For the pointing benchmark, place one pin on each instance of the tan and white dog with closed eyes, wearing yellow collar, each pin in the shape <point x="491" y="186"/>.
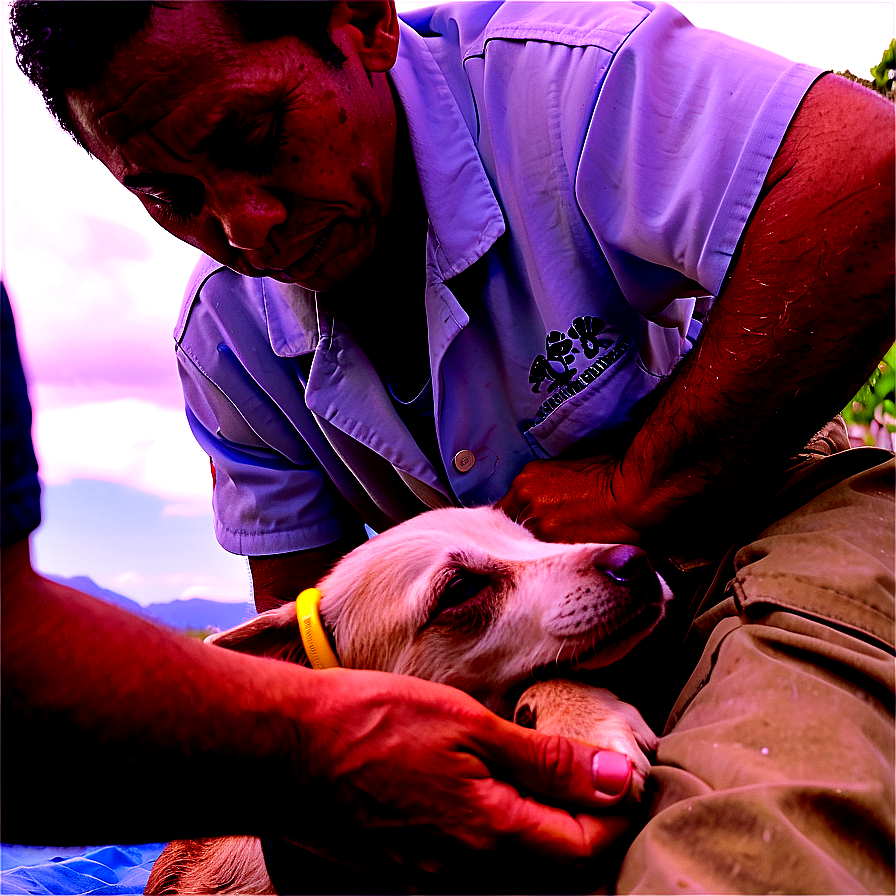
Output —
<point x="468" y="598"/>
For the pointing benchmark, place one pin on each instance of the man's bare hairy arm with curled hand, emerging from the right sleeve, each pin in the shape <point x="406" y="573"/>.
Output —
<point x="805" y="316"/>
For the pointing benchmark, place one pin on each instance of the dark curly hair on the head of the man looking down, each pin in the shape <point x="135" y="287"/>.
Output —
<point x="64" y="45"/>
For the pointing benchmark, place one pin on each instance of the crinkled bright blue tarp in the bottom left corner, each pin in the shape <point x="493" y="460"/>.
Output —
<point x="120" y="870"/>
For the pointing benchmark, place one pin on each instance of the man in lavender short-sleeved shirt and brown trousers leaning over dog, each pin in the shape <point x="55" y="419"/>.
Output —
<point x="579" y="180"/>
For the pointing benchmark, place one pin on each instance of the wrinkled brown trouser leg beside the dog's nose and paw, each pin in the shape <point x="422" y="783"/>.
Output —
<point x="776" y="770"/>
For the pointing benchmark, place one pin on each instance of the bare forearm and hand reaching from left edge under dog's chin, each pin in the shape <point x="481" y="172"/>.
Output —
<point x="118" y="730"/>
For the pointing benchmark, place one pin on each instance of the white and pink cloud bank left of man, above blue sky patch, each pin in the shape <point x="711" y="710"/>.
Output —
<point x="96" y="287"/>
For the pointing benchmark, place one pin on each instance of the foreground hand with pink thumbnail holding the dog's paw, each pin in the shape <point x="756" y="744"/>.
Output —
<point x="405" y="759"/>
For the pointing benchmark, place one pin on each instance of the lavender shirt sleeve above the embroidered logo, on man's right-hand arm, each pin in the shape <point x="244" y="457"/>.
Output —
<point x="685" y="128"/>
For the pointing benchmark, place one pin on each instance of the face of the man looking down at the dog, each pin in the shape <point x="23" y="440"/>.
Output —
<point x="264" y="156"/>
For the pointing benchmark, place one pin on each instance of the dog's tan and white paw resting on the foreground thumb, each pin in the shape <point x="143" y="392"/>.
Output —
<point x="592" y="715"/>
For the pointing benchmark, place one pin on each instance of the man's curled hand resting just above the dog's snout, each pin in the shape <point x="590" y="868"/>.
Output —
<point x="570" y="501"/>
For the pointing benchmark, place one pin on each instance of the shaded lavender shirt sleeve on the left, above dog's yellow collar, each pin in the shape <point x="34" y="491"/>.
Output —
<point x="271" y="494"/>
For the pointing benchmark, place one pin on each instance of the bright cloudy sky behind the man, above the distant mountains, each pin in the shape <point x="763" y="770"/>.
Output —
<point x="96" y="288"/>
